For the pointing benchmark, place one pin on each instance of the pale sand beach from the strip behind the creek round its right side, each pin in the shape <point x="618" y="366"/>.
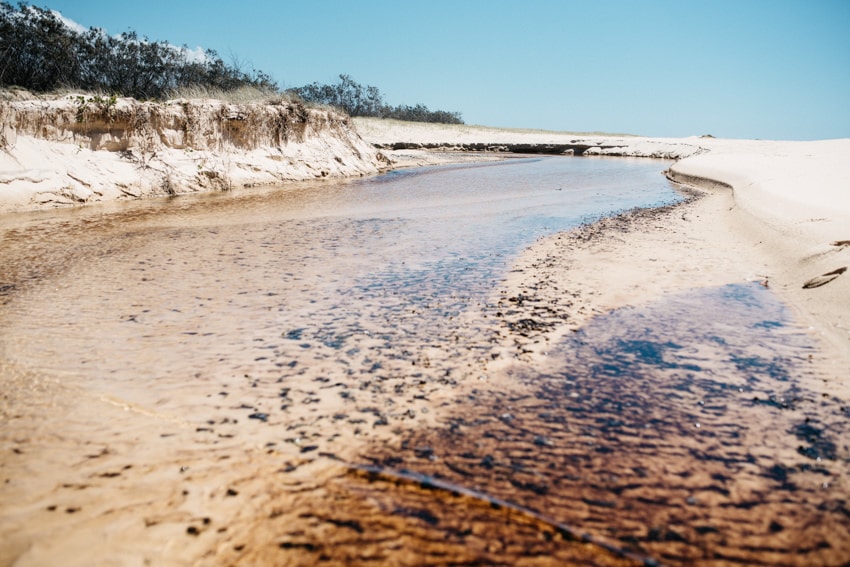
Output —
<point x="770" y="211"/>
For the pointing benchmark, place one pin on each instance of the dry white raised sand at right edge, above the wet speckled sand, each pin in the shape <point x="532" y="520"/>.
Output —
<point x="791" y="206"/>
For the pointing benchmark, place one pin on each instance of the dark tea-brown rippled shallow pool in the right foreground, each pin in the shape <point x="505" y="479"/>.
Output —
<point x="681" y="431"/>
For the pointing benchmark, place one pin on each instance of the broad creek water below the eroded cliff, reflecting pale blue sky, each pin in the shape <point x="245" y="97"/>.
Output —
<point x="216" y="279"/>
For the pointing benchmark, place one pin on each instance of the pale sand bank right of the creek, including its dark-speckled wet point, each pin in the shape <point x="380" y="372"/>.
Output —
<point x="771" y="212"/>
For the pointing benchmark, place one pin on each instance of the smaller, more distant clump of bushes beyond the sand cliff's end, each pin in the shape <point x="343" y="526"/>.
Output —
<point x="359" y="100"/>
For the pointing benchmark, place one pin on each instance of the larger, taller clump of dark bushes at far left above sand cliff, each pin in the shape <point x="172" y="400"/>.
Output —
<point x="39" y="52"/>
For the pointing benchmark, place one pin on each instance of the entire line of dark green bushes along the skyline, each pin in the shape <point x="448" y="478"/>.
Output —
<point x="41" y="53"/>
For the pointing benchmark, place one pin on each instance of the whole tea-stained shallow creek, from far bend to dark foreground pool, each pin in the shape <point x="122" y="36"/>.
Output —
<point x="351" y="321"/>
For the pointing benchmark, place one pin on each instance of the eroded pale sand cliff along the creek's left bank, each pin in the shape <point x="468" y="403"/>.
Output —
<point x="81" y="148"/>
